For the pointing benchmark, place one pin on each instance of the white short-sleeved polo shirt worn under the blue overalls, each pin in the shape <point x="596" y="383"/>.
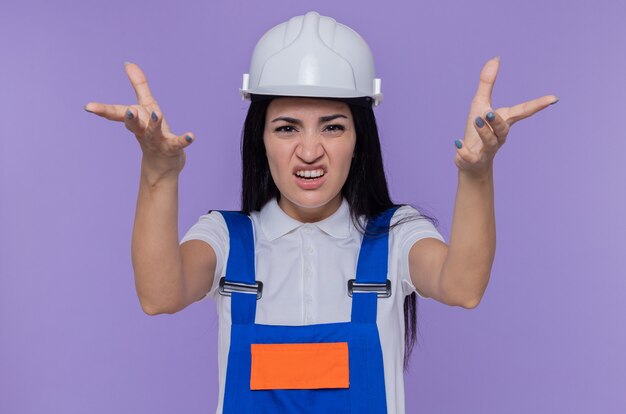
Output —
<point x="305" y="268"/>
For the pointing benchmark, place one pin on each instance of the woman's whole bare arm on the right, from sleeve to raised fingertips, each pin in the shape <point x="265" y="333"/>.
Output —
<point x="459" y="274"/>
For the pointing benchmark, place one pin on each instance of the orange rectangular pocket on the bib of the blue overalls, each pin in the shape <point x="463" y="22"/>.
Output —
<point x="299" y="366"/>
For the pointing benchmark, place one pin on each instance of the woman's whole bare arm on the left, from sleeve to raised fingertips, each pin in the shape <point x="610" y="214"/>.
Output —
<point x="168" y="277"/>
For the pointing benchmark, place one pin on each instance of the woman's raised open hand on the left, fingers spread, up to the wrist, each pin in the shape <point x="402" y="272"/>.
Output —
<point x="162" y="150"/>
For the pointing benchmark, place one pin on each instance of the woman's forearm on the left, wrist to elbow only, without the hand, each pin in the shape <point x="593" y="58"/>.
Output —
<point x="155" y="249"/>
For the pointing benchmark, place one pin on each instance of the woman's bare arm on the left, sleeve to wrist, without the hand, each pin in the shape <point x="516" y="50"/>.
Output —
<point x="168" y="278"/>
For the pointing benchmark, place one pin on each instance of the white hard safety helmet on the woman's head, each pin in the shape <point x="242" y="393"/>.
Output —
<point x="312" y="56"/>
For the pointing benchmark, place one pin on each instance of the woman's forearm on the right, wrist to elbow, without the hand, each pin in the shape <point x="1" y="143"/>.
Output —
<point x="467" y="267"/>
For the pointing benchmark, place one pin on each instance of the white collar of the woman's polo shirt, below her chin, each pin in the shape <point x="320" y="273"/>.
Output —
<point x="276" y="223"/>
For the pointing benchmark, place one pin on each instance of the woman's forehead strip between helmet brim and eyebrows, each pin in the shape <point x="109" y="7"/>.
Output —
<point x="306" y="106"/>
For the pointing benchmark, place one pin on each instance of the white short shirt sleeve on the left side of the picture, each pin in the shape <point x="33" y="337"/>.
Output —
<point x="212" y="229"/>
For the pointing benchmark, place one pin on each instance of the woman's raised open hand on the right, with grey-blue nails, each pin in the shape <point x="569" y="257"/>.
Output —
<point x="486" y="129"/>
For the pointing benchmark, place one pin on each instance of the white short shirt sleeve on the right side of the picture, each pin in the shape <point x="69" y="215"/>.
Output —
<point x="413" y="227"/>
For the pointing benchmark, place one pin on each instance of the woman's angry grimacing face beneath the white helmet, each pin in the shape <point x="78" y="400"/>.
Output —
<point x="309" y="144"/>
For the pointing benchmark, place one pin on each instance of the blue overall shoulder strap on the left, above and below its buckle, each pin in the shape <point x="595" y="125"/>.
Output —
<point x="240" y="266"/>
